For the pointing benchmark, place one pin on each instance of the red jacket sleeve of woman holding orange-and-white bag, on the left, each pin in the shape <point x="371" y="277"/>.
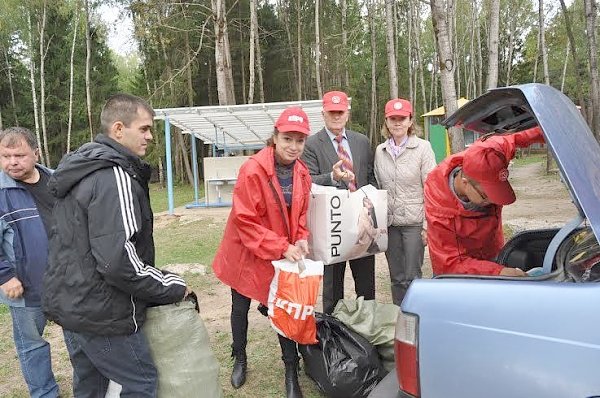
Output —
<point x="260" y="240"/>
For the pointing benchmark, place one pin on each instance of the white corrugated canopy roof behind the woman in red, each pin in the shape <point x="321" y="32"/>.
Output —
<point x="237" y="126"/>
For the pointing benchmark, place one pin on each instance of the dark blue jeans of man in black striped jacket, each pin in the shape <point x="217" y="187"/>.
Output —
<point x="98" y="359"/>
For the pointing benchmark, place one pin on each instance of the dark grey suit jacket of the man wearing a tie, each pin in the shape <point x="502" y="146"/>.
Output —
<point x="320" y="156"/>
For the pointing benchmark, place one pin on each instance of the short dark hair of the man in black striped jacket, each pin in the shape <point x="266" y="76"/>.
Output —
<point x="122" y="108"/>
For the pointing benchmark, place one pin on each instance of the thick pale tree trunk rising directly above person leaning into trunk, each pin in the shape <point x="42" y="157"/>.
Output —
<point x="440" y="28"/>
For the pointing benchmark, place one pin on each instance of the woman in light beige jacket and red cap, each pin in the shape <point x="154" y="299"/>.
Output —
<point x="402" y="163"/>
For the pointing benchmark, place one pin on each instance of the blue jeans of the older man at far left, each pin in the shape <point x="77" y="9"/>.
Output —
<point x="33" y="351"/>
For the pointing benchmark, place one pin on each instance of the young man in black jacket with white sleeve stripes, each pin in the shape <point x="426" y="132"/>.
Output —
<point x="101" y="273"/>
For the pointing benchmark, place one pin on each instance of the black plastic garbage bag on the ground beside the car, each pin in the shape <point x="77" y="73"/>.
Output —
<point x="343" y="364"/>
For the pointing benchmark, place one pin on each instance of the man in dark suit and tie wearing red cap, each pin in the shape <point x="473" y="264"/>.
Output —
<point x="344" y="159"/>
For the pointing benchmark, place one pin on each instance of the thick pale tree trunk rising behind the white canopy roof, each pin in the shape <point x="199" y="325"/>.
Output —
<point x="225" y="85"/>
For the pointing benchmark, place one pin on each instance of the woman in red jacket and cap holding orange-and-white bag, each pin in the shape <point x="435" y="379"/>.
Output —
<point x="267" y="222"/>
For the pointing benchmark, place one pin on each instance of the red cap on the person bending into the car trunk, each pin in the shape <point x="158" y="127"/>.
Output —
<point x="489" y="167"/>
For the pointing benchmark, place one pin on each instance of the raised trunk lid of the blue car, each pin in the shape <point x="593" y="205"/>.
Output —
<point x="511" y="109"/>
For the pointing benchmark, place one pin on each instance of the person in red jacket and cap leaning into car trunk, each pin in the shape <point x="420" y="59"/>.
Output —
<point x="464" y="196"/>
